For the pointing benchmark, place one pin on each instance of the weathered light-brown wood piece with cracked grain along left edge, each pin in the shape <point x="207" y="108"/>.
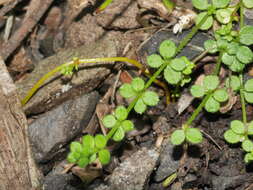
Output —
<point x="17" y="168"/>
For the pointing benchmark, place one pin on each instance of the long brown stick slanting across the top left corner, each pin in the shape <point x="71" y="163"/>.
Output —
<point x="35" y="11"/>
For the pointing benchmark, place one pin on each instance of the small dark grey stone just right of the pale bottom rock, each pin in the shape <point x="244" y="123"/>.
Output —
<point x="168" y="164"/>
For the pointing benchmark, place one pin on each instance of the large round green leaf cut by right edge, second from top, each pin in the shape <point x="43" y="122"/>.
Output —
<point x="246" y="35"/>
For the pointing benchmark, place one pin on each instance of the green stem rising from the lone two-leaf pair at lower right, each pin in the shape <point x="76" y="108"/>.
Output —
<point x="203" y="102"/>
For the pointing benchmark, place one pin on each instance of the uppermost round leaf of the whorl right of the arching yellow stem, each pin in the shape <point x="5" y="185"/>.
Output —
<point x="167" y="49"/>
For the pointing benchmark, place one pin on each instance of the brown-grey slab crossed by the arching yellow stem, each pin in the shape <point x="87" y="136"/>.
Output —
<point x="86" y="79"/>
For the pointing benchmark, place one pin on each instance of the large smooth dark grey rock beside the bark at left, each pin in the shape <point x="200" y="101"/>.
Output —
<point x="54" y="129"/>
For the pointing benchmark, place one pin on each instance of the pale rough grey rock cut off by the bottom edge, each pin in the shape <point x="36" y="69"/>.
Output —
<point x="134" y="172"/>
